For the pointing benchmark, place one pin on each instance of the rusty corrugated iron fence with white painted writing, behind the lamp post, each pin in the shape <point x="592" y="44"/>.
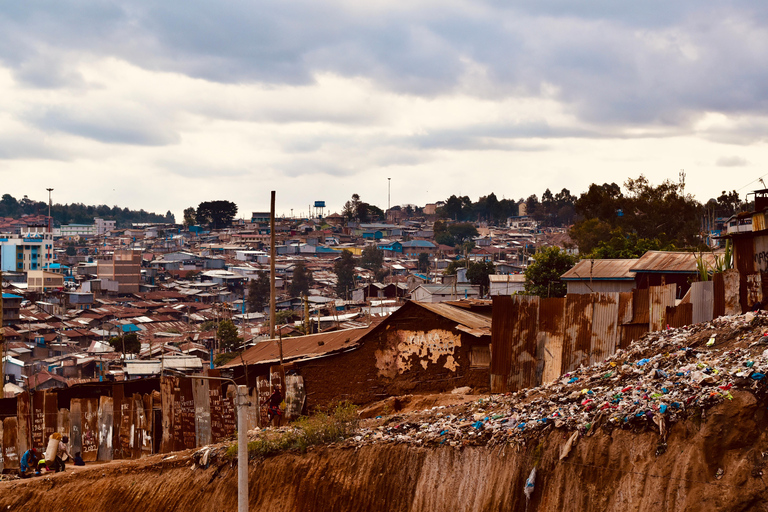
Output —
<point x="183" y="413"/>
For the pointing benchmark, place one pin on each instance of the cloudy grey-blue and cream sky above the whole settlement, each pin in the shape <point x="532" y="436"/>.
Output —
<point x="163" y="104"/>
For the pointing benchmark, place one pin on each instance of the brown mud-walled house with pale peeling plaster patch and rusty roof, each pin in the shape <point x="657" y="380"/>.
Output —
<point x="420" y="348"/>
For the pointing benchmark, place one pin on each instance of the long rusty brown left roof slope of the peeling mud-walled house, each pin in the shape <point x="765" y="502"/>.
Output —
<point x="301" y="347"/>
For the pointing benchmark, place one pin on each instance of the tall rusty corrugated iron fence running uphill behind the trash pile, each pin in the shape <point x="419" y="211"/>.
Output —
<point x="537" y="340"/>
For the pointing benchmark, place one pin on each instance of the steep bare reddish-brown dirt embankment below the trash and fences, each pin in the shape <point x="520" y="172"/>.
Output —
<point x="715" y="463"/>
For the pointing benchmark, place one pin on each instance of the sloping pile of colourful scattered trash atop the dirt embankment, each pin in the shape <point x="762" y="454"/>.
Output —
<point x="659" y="380"/>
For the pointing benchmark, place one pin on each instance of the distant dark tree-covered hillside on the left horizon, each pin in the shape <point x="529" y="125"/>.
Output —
<point x="78" y="213"/>
